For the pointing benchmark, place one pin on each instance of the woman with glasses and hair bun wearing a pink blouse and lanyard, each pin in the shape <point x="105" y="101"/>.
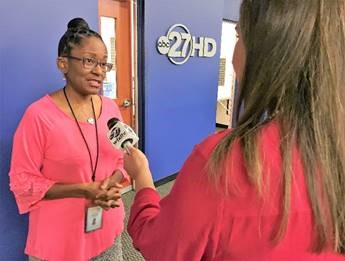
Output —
<point x="64" y="171"/>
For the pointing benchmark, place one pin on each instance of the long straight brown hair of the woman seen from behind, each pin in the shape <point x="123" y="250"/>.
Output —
<point x="295" y="69"/>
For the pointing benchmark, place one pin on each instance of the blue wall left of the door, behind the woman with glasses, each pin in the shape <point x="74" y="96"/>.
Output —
<point x="30" y="31"/>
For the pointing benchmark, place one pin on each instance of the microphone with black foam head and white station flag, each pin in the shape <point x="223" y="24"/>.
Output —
<point x="121" y="135"/>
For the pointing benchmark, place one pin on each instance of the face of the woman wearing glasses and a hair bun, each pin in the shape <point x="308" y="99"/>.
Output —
<point x="86" y="81"/>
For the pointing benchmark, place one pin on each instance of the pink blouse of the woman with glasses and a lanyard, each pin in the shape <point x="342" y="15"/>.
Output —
<point x="49" y="148"/>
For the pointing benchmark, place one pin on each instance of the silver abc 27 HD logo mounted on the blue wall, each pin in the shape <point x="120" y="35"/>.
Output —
<point x="179" y="45"/>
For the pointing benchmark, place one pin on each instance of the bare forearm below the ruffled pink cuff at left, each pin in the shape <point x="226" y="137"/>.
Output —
<point x="58" y="191"/>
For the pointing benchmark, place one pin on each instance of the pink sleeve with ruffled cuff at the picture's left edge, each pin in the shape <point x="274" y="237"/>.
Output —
<point x="26" y="180"/>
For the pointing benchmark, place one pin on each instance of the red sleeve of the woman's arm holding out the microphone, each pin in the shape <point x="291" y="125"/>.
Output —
<point x="182" y="226"/>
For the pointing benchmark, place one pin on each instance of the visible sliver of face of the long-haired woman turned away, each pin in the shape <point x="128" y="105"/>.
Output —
<point x="239" y="56"/>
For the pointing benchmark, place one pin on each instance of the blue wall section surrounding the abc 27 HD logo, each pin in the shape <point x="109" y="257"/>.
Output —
<point x="180" y="101"/>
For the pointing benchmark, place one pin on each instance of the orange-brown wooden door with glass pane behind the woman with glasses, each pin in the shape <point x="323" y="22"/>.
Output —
<point x="115" y="29"/>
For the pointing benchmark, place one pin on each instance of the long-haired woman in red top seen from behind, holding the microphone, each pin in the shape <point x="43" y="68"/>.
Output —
<point x="273" y="188"/>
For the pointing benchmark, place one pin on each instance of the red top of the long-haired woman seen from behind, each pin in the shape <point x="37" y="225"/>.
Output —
<point x="194" y="222"/>
